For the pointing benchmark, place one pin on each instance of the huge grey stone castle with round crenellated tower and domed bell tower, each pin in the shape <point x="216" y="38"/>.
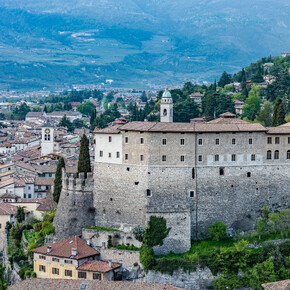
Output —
<point x="192" y="174"/>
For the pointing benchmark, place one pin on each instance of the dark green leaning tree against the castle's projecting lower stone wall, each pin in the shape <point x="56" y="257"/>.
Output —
<point x="156" y="231"/>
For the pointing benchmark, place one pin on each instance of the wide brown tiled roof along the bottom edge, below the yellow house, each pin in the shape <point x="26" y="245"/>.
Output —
<point x="75" y="284"/>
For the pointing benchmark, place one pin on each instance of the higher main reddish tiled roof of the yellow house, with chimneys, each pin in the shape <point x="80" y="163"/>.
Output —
<point x="64" y="249"/>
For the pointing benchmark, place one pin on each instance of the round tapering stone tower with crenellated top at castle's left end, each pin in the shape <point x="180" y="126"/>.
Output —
<point x="75" y="209"/>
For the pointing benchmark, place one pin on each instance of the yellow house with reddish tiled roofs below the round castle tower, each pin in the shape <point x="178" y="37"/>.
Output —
<point x="72" y="258"/>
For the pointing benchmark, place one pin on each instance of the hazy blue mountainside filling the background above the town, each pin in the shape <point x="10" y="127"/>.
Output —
<point x="134" y="42"/>
